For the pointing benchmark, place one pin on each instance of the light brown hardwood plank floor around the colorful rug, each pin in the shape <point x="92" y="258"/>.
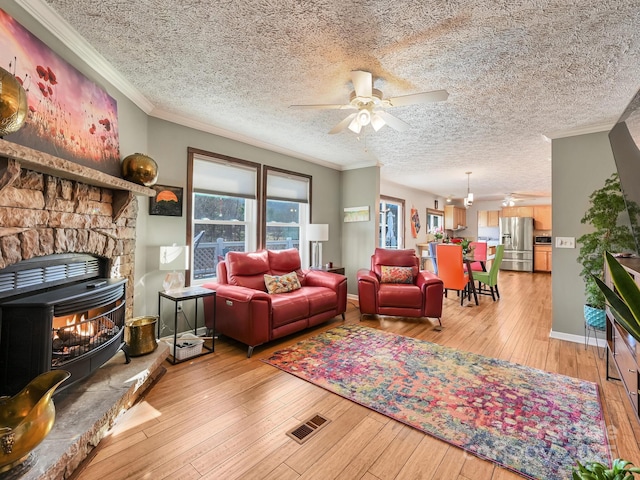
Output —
<point x="224" y="416"/>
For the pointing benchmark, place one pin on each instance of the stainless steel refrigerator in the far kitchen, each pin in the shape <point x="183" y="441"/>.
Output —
<point x="516" y="234"/>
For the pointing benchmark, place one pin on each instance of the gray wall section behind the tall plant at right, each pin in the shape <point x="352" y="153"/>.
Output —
<point x="581" y="164"/>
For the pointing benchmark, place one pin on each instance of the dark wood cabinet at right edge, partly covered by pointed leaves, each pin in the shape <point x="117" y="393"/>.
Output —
<point x="623" y="351"/>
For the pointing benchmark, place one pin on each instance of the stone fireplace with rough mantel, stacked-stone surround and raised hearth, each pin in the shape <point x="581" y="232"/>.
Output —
<point x="49" y="206"/>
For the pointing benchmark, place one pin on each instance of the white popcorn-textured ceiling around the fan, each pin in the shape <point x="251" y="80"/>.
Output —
<point x="515" y="72"/>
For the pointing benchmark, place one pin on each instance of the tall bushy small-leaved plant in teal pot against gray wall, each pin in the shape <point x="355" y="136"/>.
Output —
<point x="607" y="205"/>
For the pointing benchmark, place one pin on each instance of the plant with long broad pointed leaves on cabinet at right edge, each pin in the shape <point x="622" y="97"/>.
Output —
<point x="624" y="303"/>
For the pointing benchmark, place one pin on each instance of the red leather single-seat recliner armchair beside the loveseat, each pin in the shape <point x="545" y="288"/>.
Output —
<point x="420" y="298"/>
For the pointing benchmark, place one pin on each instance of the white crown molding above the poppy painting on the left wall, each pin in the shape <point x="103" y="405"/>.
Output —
<point x="58" y="26"/>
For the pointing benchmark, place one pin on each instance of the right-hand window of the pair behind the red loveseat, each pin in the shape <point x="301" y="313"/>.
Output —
<point x="286" y="210"/>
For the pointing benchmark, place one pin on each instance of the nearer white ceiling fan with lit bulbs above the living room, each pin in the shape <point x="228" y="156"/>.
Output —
<point x="369" y="103"/>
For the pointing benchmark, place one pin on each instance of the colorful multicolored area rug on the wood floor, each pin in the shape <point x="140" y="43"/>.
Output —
<point x="532" y="422"/>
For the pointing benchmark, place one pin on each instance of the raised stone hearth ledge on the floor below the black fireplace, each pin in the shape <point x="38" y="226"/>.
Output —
<point x="85" y="412"/>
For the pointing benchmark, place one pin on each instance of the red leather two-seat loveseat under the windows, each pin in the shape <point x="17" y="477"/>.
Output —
<point x="246" y="312"/>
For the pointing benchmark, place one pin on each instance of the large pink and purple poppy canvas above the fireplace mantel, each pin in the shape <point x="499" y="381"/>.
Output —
<point x="69" y="115"/>
